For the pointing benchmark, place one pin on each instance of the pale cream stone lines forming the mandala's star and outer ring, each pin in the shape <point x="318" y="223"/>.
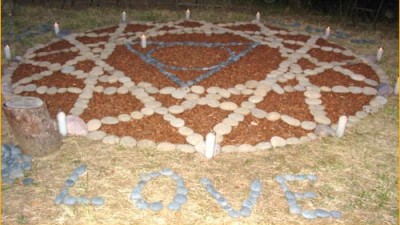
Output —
<point x="256" y="90"/>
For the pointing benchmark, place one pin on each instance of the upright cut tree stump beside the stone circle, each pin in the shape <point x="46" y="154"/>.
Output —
<point x="36" y="133"/>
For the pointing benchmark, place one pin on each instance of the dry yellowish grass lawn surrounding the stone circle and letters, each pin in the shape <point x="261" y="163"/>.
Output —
<point x="357" y="174"/>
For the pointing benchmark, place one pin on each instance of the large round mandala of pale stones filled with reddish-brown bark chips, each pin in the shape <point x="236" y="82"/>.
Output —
<point x="254" y="85"/>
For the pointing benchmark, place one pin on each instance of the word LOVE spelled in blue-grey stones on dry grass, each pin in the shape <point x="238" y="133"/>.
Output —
<point x="181" y="195"/>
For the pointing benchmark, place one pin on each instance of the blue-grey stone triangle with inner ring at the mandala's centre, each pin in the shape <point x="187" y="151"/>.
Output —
<point x="209" y="71"/>
